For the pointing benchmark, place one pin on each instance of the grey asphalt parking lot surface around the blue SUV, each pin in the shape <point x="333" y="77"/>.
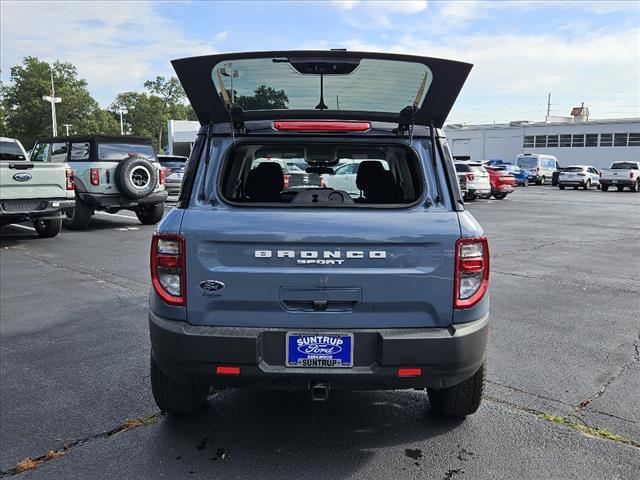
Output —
<point x="563" y="358"/>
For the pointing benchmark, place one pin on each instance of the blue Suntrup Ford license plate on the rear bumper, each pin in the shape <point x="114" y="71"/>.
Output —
<point x="319" y="350"/>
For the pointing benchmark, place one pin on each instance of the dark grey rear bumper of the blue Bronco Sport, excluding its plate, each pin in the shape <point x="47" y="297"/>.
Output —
<point x="191" y="353"/>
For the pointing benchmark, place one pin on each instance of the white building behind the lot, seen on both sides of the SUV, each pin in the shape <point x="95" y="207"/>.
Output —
<point x="572" y="140"/>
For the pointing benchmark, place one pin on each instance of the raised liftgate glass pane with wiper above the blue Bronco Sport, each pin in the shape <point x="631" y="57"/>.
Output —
<point x="373" y="85"/>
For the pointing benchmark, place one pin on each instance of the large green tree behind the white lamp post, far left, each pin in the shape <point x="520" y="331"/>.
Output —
<point x="27" y="117"/>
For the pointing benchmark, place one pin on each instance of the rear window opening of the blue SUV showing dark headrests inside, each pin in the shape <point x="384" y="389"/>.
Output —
<point x="322" y="175"/>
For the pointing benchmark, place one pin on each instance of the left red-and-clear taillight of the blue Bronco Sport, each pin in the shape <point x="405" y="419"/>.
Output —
<point x="168" y="267"/>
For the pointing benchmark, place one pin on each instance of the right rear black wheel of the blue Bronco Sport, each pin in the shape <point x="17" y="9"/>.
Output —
<point x="460" y="400"/>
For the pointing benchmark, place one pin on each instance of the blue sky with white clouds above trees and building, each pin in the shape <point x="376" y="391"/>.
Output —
<point x="579" y="51"/>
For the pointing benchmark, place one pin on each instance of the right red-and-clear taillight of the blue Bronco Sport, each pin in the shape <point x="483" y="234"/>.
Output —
<point x="472" y="271"/>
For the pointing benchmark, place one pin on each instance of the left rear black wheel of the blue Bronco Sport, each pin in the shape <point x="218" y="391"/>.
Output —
<point x="172" y="396"/>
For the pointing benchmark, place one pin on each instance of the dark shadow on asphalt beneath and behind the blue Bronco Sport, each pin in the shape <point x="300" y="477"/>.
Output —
<point x="255" y="434"/>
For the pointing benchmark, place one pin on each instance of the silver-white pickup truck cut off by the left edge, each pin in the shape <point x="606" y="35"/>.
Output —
<point x="40" y="192"/>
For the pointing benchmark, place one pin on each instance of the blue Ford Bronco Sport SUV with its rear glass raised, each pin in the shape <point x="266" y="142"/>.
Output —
<point x="379" y="285"/>
